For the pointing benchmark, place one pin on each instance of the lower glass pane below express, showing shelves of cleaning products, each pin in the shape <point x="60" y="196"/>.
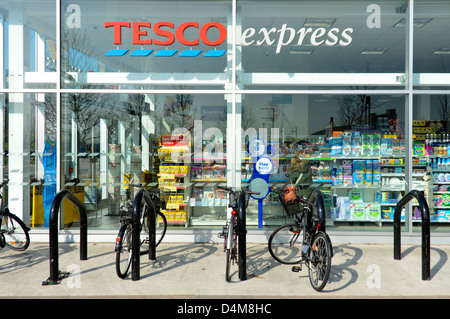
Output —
<point x="355" y="154"/>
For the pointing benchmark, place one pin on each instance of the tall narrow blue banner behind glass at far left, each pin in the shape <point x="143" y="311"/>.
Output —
<point x="49" y="161"/>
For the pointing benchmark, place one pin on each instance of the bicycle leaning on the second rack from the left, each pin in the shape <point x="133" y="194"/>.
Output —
<point x="123" y="246"/>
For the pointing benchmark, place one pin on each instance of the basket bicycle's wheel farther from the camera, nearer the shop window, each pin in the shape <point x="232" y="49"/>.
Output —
<point x="285" y="244"/>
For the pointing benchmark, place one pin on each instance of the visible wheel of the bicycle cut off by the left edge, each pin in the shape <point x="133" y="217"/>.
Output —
<point x="15" y="232"/>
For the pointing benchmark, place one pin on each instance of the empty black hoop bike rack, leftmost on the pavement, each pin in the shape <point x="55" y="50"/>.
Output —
<point x="55" y="275"/>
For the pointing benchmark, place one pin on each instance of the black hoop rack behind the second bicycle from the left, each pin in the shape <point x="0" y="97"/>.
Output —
<point x="135" y="236"/>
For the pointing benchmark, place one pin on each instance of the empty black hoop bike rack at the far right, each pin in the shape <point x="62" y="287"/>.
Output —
<point x="423" y="206"/>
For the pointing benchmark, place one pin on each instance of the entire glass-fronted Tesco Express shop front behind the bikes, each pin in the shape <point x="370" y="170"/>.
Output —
<point x="177" y="94"/>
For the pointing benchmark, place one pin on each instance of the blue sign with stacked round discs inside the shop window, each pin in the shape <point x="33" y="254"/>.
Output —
<point x="263" y="166"/>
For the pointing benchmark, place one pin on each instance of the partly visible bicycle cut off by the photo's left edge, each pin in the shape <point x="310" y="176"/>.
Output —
<point x="13" y="232"/>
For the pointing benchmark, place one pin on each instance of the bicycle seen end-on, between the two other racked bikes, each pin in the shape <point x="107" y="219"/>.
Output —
<point x="234" y="231"/>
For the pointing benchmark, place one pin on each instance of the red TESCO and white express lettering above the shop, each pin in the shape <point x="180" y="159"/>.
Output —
<point x="251" y="36"/>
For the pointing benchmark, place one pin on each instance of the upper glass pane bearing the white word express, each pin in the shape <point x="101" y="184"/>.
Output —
<point x="282" y="43"/>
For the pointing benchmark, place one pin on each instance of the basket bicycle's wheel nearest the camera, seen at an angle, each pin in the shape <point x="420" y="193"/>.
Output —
<point x="320" y="261"/>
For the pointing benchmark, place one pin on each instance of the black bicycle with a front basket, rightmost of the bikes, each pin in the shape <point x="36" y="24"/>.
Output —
<point x="304" y="241"/>
